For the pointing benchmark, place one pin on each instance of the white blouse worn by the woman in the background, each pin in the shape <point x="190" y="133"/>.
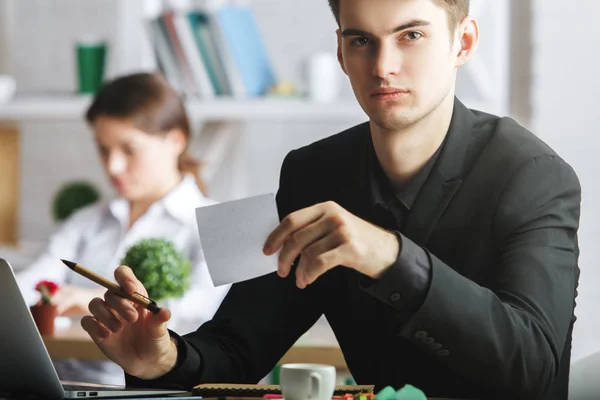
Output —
<point x="98" y="237"/>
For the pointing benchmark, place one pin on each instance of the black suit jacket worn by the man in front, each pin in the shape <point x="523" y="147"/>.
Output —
<point x="498" y="217"/>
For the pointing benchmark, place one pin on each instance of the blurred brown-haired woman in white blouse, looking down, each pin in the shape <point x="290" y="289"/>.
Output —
<point x="141" y="131"/>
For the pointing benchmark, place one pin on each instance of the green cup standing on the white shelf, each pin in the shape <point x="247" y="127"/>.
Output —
<point x="91" y="60"/>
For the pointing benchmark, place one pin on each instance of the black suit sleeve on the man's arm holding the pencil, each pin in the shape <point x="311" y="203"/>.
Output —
<point x="258" y="321"/>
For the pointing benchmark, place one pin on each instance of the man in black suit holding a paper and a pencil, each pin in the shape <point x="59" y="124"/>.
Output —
<point x="439" y="242"/>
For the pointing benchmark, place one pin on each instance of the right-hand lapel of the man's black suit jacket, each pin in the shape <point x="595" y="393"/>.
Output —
<point x="444" y="179"/>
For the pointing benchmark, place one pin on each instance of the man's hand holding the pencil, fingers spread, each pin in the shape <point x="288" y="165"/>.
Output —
<point x="130" y="335"/>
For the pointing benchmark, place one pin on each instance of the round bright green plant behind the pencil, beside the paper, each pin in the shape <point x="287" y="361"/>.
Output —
<point x="163" y="270"/>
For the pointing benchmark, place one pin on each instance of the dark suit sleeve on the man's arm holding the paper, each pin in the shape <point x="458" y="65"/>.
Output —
<point x="510" y="335"/>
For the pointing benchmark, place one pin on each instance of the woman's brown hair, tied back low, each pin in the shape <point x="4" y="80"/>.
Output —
<point x="153" y="106"/>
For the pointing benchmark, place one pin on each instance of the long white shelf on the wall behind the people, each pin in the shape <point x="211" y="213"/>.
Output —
<point x="71" y="107"/>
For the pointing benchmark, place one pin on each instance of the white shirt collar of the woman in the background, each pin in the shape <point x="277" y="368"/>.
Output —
<point x="180" y="202"/>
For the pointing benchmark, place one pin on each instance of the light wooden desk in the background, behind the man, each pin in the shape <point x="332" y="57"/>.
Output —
<point x="74" y="342"/>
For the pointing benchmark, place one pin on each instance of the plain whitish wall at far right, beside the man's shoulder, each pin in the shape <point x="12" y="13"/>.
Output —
<point x="566" y="61"/>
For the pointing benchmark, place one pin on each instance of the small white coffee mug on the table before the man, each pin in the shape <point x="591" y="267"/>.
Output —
<point x="307" y="381"/>
